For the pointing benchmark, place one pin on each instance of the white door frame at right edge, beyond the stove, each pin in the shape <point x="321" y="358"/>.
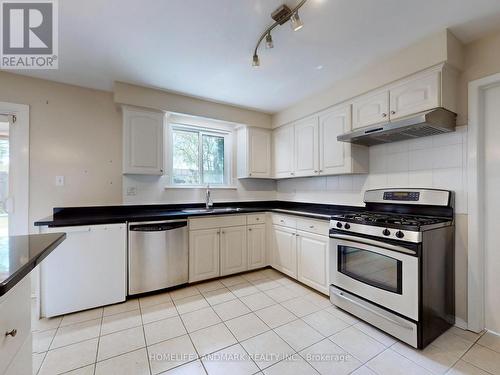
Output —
<point x="476" y="204"/>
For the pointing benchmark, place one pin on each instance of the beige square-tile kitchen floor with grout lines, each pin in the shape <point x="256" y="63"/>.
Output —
<point x="260" y="322"/>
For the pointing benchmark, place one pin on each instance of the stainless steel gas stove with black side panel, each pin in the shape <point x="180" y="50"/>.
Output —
<point x="392" y="265"/>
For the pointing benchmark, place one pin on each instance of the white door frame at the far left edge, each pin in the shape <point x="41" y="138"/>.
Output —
<point x="21" y="156"/>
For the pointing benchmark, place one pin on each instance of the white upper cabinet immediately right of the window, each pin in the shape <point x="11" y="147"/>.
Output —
<point x="254" y="153"/>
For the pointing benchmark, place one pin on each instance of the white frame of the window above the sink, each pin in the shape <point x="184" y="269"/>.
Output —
<point x="228" y="154"/>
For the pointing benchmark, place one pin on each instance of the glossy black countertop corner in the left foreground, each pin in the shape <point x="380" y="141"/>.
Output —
<point x="20" y="254"/>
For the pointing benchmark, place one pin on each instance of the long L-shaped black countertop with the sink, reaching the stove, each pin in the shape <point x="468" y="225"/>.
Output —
<point x="72" y="216"/>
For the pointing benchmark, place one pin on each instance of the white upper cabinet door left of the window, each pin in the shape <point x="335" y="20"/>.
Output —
<point x="143" y="142"/>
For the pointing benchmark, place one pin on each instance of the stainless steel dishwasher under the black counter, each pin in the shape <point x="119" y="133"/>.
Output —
<point x="157" y="255"/>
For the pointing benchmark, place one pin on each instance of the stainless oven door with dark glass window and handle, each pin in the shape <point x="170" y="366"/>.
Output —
<point x="382" y="273"/>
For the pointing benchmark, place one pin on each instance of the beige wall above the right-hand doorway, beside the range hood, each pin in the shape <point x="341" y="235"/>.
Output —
<point x="482" y="58"/>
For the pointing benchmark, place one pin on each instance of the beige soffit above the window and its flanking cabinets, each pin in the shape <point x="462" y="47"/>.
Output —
<point x="125" y="93"/>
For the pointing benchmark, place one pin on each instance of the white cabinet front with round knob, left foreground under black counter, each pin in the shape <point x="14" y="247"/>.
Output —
<point x="15" y="314"/>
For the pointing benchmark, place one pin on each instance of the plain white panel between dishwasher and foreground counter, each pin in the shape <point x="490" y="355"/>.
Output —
<point x="89" y="269"/>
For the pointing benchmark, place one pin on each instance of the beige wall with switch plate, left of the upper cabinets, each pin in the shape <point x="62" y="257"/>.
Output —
<point x="75" y="133"/>
